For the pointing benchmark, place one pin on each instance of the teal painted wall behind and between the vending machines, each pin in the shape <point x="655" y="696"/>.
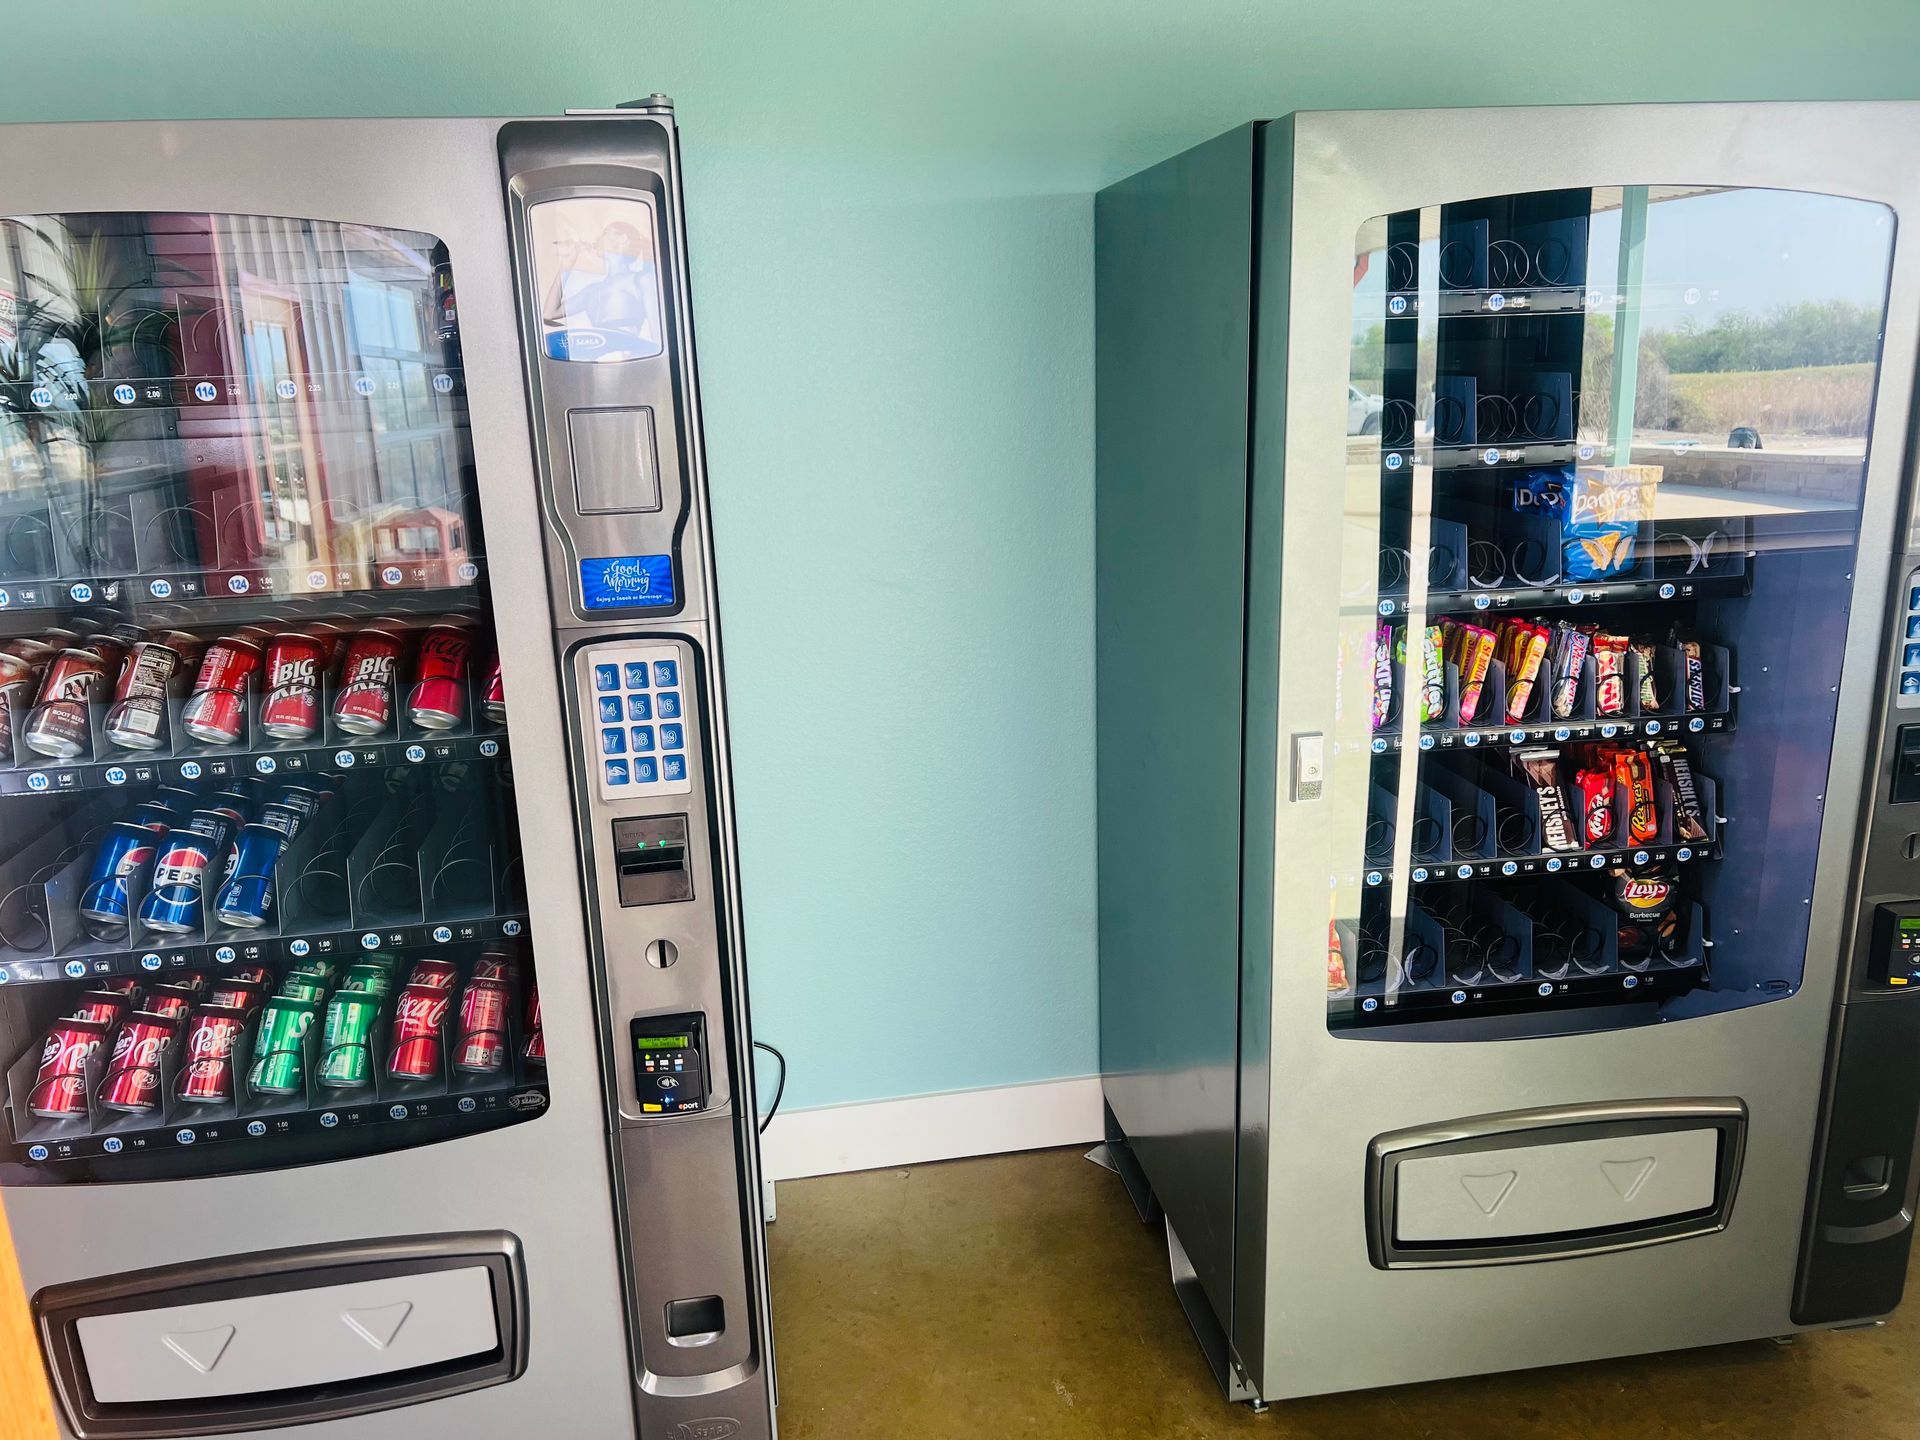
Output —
<point x="890" y="204"/>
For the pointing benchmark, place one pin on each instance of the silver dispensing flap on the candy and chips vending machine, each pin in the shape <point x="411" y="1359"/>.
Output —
<point x="1550" y="1189"/>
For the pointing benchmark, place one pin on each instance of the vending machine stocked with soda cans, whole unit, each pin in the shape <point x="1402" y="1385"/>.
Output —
<point x="372" y="994"/>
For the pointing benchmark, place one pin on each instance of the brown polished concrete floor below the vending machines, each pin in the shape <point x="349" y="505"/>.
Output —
<point x="1019" y="1297"/>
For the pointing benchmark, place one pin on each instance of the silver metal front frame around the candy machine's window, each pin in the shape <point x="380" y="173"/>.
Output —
<point x="1332" y="1093"/>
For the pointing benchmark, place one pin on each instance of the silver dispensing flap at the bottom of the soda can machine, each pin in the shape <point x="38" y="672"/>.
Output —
<point x="325" y="1335"/>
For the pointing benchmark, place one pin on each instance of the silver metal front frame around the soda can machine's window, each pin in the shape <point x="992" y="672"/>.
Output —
<point x="544" y="1182"/>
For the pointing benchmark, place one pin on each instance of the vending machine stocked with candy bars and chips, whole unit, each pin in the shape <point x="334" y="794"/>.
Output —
<point x="1524" y="963"/>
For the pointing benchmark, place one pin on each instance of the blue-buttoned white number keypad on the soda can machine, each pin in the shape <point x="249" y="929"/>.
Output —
<point x="636" y="721"/>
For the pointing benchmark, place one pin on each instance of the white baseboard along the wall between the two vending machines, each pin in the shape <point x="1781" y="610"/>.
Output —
<point x="921" y="1128"/>
